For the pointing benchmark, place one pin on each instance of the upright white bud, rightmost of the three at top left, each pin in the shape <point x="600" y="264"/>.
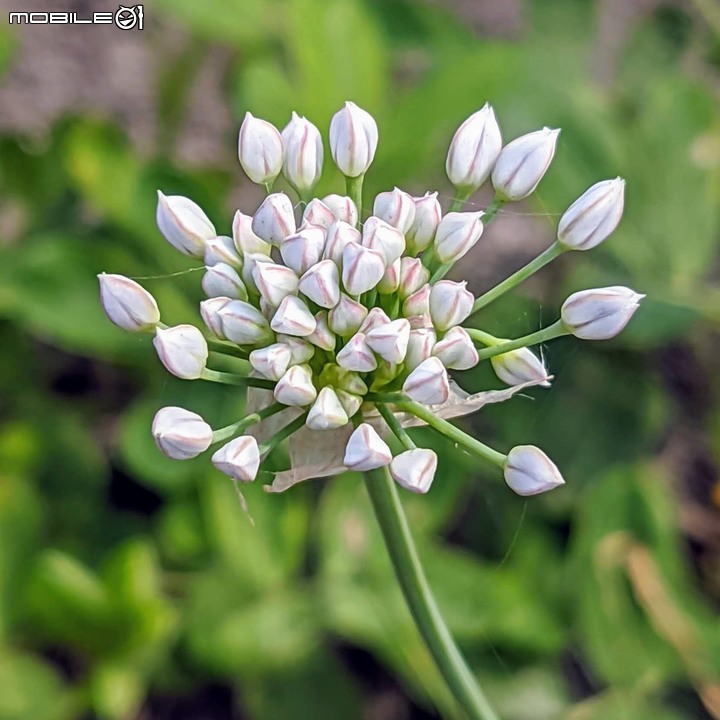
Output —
<point x="353" y="140"/>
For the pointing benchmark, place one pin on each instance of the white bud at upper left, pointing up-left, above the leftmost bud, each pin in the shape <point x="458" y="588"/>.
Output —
<point x="184" y="225"/>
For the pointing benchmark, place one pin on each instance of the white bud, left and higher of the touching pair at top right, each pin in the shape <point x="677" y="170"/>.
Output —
<point x="474" y="150"/>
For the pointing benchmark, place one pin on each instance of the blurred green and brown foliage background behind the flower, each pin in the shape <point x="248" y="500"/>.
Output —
<point x="134" y="588"/>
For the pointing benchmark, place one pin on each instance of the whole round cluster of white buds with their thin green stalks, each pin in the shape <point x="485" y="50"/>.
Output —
<point x="346" y="325"/>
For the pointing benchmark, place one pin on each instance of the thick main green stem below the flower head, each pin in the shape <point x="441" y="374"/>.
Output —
<point x="420" y="599"/>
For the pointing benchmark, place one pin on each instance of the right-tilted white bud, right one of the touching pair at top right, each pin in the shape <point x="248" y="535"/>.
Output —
<point x="523" y="162"/>
